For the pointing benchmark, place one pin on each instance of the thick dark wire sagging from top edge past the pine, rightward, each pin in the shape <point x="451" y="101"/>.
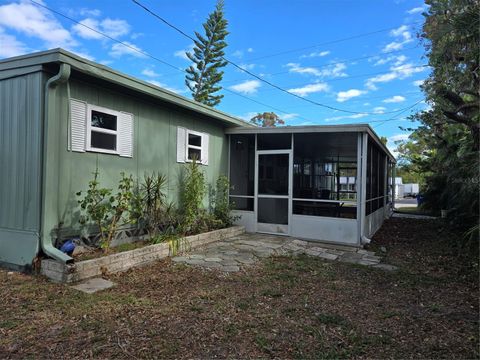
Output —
<point x="255" y="75"/>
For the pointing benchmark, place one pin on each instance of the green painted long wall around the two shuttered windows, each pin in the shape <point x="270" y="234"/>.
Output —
<point x="155" y="131"/>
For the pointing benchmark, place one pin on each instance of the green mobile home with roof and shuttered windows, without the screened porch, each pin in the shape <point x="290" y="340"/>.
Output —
<point x="50" y="146"/>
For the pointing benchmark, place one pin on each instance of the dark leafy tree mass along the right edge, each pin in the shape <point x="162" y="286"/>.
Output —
<point x="446" y="145"/>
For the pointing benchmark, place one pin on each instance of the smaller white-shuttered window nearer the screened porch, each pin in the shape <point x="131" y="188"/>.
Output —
<point x="192" y="145"/>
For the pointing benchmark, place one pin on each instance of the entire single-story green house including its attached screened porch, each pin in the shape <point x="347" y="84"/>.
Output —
<point x="62" y="116"/>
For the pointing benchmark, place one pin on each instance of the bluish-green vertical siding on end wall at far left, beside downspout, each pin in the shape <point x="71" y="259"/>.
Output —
<point x="20" y="164"/>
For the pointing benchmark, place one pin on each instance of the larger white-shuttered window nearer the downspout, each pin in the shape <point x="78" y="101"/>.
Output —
<point x="98" y="129"/>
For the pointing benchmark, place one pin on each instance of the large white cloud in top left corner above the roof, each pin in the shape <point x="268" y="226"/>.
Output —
<point x="33" y="21"/>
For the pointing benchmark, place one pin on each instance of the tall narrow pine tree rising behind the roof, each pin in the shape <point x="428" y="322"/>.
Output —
<point x="203" y="77"/>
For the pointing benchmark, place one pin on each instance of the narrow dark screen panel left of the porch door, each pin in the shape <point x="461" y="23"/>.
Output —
<point x="242" y="171"/>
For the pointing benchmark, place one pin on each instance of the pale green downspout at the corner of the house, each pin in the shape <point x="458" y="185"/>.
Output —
<point x="45" y="241"/>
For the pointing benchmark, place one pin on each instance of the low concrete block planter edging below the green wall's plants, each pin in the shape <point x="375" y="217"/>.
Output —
<point x="123" y="261"/>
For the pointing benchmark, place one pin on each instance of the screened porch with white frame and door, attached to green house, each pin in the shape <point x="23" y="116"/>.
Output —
<point x="329" y="184"/>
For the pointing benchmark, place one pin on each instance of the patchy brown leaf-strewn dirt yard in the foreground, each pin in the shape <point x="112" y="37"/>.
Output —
<point x="284" y="307"/>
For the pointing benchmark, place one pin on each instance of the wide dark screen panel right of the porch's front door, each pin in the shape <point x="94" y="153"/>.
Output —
<point x="325" y="175"/>
